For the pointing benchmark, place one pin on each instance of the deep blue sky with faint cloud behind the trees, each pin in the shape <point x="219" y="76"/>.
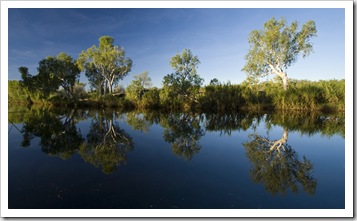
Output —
<point x="219" y="37"/>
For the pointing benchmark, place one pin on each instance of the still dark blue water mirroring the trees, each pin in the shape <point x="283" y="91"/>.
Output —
<point x="107" y="159"/>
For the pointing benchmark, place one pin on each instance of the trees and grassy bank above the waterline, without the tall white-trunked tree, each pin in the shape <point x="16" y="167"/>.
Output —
<point x="57" y="83"/>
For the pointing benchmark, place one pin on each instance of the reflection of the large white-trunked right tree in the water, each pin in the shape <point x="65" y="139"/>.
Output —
<point x="277" y="165"/>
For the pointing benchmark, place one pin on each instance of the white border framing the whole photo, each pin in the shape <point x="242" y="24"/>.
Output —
<point x="347" y="212"/>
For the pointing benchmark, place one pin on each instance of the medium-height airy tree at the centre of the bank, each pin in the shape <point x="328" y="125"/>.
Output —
<point x="185" y="81"/>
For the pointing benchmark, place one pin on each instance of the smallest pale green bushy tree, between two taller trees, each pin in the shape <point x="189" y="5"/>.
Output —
<point x="137" y="87"/>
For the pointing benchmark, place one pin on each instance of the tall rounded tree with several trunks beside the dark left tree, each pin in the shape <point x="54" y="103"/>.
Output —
<point x="106" y="64"/>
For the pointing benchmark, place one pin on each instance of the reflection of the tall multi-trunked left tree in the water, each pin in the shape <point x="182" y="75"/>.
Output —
<point x="107" y="144"/>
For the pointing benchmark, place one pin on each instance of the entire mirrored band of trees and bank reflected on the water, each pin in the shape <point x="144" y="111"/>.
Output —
<point x="106" y="145"/>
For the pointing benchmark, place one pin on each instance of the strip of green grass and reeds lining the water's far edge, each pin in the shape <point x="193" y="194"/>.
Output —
<point x="302" y="95"/>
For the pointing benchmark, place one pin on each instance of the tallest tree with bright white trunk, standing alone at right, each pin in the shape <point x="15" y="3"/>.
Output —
<point x="276" y="47"/>
